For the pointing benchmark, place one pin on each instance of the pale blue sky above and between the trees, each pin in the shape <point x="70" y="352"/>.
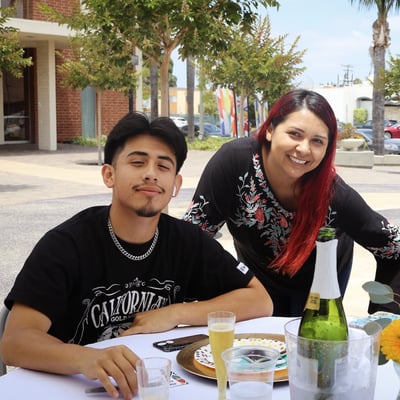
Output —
<point x="336" y="34"/>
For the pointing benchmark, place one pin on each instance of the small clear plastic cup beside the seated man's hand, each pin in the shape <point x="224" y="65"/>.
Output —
<point x="153" y="374"/>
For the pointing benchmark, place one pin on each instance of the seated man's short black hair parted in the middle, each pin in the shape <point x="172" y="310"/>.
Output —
<point x="134" y="124"/>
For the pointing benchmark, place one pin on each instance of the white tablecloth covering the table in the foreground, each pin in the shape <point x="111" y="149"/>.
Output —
<point x="22" y="384"/>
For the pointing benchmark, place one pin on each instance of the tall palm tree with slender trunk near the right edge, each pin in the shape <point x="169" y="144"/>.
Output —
<point x="380" y="42"/>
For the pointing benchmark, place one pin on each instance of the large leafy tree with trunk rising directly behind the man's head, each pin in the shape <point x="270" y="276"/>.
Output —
<point x="158" y="27"/>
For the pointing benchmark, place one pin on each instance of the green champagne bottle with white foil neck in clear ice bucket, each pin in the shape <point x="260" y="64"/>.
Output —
<point x="324" y="317"/>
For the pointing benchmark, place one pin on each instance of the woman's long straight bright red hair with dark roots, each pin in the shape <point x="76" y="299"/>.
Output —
<point x="316" y="187"/>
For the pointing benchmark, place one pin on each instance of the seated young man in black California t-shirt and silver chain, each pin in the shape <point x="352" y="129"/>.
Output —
<point x="123" y="269"/>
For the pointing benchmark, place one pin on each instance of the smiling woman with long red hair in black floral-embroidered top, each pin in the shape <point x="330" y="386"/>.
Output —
<point x="275" y="190"/>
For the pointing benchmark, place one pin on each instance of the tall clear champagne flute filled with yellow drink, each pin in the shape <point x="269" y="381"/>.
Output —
<point x="221" y="330"/>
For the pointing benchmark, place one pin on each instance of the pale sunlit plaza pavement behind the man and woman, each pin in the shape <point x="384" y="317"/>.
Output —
<point x="39" y="189"/>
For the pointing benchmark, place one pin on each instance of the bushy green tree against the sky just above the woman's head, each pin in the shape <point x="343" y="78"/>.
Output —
<point x="255" y="64"/>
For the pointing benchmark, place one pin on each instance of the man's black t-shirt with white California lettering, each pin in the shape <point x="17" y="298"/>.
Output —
<point x="90" y="291"/>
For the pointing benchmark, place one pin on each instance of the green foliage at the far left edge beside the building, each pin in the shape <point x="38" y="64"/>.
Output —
<point x="11" y="53"/>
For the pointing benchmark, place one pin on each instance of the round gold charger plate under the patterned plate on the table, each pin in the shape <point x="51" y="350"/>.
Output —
<point x="186" y="360"/>
